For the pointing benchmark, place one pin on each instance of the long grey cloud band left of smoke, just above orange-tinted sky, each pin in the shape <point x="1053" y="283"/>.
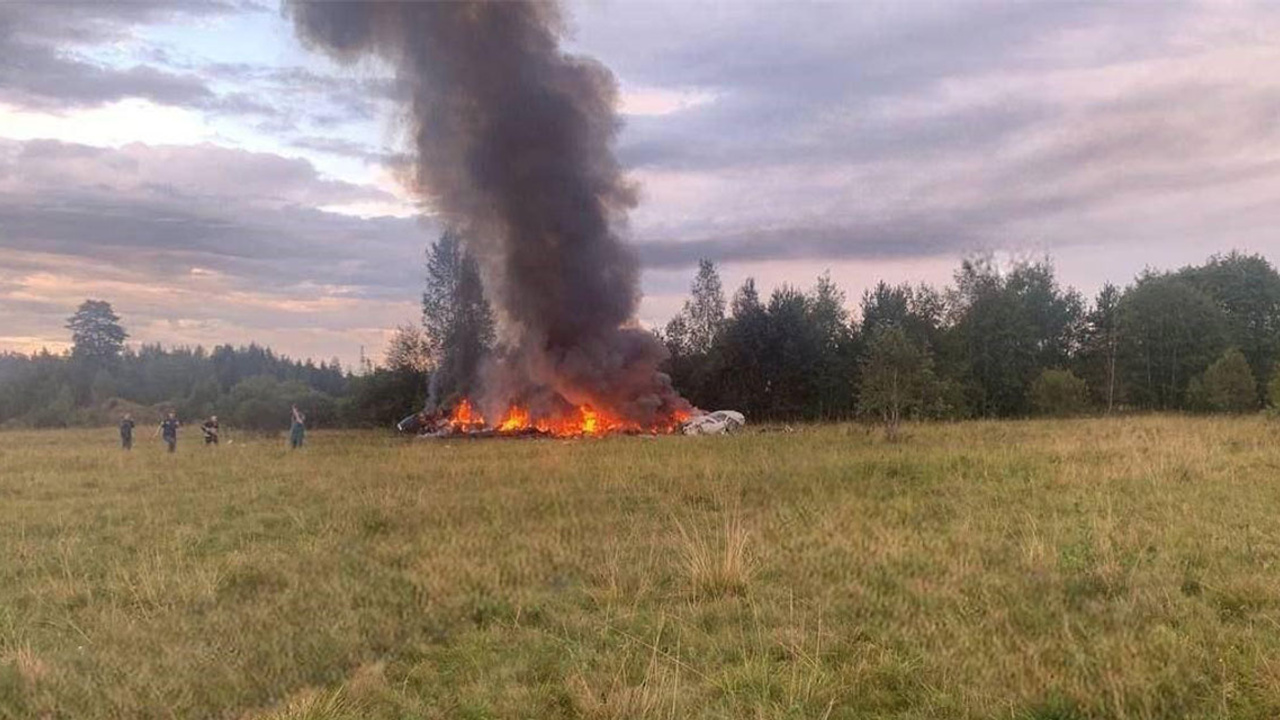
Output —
<point x="272" y="252"/>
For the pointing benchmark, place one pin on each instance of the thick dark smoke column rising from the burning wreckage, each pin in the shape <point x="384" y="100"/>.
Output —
<point x="514" y="144"/>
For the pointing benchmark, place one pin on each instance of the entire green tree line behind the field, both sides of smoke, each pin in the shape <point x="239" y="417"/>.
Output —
<point x="998" y="343"/>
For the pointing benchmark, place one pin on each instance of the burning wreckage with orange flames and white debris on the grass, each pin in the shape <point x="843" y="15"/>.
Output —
<point x="467" y="422"/>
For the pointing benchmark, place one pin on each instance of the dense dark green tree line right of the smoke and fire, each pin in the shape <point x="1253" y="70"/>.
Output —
<point x="999" y="343"/>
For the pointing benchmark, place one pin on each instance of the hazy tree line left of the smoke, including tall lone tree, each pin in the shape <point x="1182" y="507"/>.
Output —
<point x="253" y="388"/>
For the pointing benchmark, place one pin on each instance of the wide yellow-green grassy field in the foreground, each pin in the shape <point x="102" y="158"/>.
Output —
<point x="1035" y="569"/>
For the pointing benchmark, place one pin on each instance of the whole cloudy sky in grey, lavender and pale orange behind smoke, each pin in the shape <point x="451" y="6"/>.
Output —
<point x="199" y="168"/>
